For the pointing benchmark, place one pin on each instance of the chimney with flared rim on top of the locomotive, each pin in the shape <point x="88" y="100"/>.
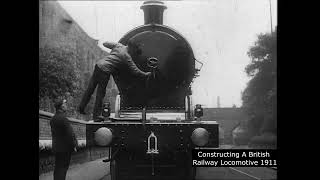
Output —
<point x="153" y="11"/>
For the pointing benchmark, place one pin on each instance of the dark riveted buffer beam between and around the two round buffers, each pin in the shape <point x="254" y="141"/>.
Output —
<point x="171" y="136"/>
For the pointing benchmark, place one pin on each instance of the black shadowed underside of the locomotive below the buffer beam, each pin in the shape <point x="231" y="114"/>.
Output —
<point x="134" y="166"/>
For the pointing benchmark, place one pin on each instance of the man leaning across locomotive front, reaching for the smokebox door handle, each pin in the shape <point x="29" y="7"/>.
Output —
<point x="119" y="57"/>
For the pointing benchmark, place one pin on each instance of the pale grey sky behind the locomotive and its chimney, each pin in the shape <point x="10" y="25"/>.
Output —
<point x="220" y="33"/>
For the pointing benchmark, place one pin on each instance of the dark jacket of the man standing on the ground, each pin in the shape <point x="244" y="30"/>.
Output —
<point x="63" y="137"/>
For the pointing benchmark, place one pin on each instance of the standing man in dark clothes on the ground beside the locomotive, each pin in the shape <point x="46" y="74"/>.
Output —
<point x="64" y="141"/>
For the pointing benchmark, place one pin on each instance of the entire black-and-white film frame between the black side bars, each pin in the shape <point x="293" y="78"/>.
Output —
<point x="158" y="90"/>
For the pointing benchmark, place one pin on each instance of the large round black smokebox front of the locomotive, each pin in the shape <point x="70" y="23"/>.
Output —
<point x="175" y="70"/>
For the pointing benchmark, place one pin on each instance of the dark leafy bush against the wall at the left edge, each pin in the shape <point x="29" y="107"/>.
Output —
<point x="57" y="75"/>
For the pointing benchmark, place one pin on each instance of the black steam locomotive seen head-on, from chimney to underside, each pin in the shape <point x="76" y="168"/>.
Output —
<point x="155" y="127"/>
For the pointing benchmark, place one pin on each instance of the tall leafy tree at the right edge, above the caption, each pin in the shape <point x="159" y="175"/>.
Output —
<point x="260" y="96"/>
